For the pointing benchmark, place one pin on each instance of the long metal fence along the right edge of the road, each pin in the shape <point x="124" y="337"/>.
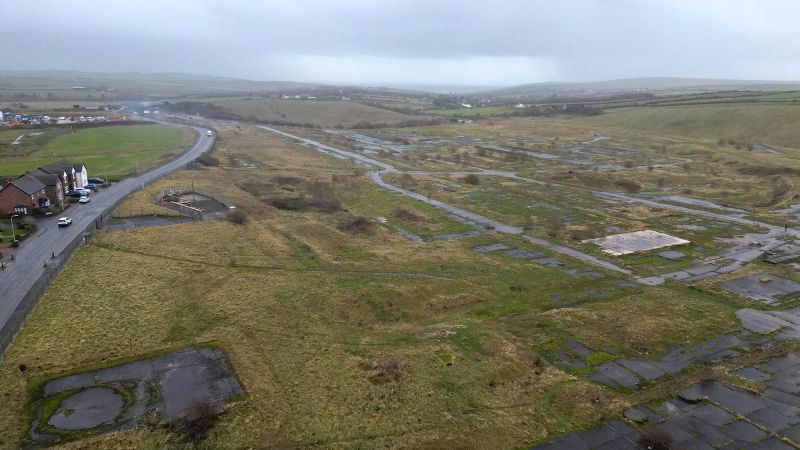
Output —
<point x="20" y="314"/>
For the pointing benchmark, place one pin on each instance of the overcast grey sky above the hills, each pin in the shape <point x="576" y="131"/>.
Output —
<point x="423" y="42"/>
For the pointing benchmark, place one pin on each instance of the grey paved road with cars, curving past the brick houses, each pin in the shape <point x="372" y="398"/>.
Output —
<point x="27" y="267"/>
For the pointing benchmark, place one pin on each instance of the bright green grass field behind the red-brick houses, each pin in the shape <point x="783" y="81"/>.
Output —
<point x="109" y="151"/>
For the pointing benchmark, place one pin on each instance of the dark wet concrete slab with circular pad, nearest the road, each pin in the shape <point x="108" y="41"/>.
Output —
<point x="171" y="384"/>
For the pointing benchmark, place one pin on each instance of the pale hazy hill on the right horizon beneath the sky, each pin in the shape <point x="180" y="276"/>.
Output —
<point x="656" y="86"/>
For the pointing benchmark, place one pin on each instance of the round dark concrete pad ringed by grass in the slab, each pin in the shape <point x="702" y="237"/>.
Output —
<point x="88" y="409"/>
